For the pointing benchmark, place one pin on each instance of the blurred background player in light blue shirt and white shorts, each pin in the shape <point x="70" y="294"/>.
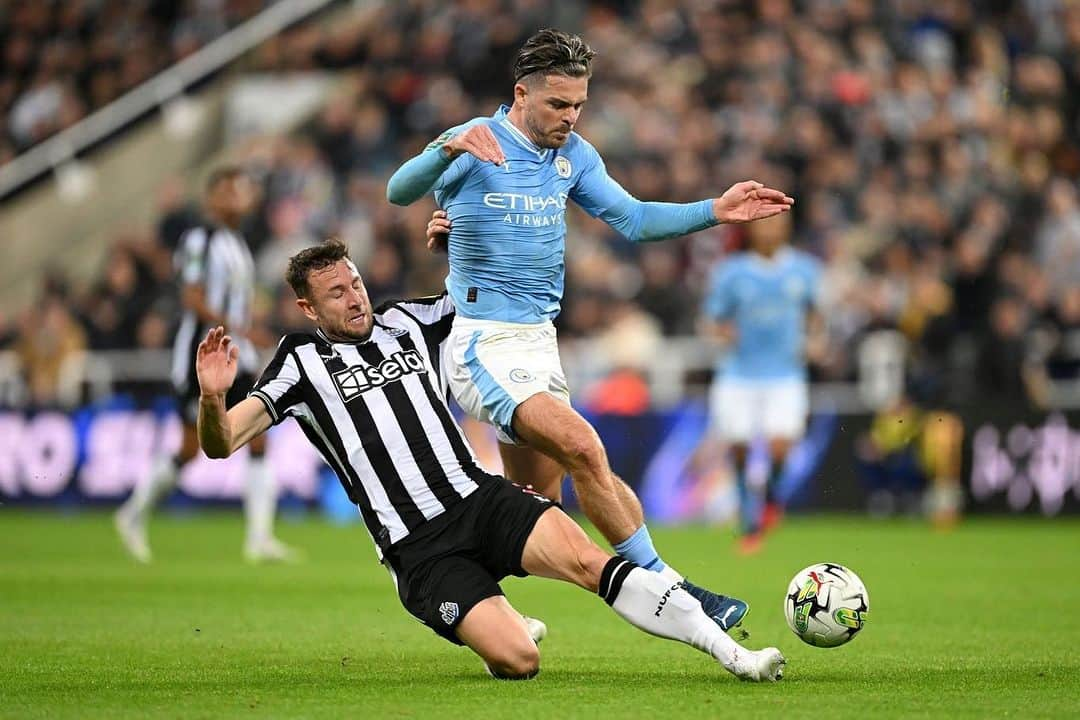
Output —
<point x="762" y="303"/>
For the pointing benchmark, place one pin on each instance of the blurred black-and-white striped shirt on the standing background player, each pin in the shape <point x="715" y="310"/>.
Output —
<point x="221" y="262"/>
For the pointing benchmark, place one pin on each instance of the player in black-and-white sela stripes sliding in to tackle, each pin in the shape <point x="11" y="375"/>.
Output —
<point x="368" y="387"/>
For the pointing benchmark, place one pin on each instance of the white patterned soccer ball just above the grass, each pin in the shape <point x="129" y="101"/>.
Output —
<point x="827" y="605"/>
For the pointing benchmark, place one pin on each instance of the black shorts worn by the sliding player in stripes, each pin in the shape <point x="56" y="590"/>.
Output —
<point x="449" y="566"/>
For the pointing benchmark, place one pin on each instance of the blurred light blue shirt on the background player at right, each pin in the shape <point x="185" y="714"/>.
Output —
<point x="768" y="302"/>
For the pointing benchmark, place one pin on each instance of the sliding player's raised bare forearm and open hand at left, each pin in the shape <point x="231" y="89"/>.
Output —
<point x="221" y="432"/>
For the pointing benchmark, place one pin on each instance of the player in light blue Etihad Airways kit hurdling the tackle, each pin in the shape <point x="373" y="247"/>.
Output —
<point x="505" y="183"/>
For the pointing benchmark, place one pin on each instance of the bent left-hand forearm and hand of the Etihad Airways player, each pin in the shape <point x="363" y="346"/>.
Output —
<point x="420" y="175"/>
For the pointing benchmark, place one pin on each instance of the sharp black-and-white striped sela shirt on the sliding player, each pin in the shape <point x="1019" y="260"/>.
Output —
<point x="377" y="413"/>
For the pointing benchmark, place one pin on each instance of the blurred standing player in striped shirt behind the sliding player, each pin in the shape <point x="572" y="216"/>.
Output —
<point x="218" y="275"/>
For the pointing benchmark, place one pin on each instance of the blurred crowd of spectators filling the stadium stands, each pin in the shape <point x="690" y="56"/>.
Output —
<point x="934" y="150"/>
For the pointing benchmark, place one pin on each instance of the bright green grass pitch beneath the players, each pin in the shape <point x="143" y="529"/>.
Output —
<point x="980" y="622"/>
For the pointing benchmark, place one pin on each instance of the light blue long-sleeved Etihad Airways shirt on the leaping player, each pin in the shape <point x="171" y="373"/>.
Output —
<point x="509" y="222"/>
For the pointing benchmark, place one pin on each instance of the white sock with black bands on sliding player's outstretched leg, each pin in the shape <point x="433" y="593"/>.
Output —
<point x="652" y="604"/>
